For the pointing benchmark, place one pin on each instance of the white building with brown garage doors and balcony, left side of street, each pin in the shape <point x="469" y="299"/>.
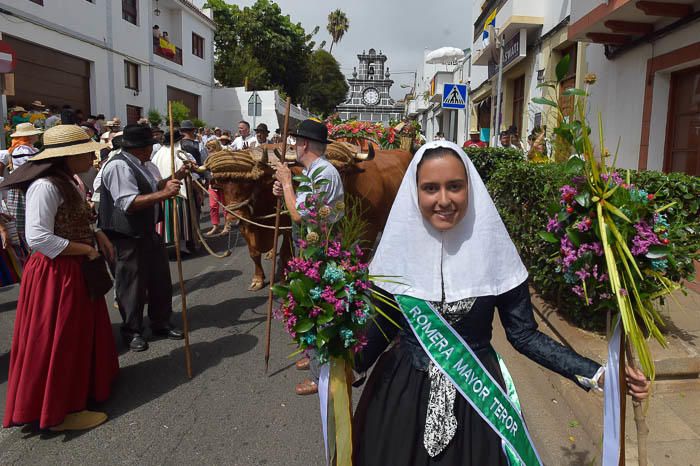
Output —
<point x="101" y="56"/>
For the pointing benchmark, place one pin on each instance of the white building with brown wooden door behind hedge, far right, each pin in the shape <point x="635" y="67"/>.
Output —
<point x="646" y="56"/>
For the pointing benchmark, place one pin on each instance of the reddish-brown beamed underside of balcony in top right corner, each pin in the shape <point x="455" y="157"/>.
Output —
<point x="623" y="22"/>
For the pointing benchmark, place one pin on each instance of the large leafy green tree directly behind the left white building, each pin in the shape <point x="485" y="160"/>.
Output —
<point x="261" y="46"/>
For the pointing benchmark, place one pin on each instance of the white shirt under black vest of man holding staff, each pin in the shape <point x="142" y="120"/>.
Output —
<point x="117" y="177"/>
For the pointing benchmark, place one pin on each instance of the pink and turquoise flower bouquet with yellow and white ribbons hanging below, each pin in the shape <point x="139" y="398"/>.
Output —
<point x="326" y="305"/>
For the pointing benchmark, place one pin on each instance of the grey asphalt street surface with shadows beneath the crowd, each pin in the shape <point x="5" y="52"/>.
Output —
<point x="231" y="412"/>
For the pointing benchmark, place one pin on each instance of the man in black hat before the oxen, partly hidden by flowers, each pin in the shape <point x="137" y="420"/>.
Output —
<point x="311" y="141"/>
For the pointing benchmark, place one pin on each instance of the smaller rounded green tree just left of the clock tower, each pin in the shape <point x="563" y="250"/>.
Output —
<point x="327" y="87"/>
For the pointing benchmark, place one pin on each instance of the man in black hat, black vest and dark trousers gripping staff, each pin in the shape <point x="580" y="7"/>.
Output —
<point x="130" y="207"/>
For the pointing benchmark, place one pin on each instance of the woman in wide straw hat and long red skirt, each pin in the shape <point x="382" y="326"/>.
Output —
<point x="63" y="353"/>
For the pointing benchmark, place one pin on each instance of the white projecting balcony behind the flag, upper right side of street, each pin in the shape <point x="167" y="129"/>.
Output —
<point x="513" y="16"/>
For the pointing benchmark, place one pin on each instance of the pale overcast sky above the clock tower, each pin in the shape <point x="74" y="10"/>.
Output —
<point x="402" y="29"/>
